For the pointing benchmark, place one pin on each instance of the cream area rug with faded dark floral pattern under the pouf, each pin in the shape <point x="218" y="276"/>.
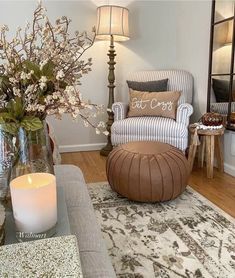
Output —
<point x="187" y="237"/>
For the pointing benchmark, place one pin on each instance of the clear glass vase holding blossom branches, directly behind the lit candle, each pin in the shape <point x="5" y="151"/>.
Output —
<point x="33" y="152"/>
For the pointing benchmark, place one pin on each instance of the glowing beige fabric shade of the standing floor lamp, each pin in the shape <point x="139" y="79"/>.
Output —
<point x="112" y="20"/>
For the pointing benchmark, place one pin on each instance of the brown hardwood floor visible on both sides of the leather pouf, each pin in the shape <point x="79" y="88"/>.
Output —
<point x="220" y="190"/>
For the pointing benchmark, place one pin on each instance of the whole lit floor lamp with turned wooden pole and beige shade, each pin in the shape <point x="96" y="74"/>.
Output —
<point x="112" y="24"/>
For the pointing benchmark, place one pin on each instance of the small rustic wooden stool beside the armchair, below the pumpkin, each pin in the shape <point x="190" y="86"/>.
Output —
<point x="209" y="142"/>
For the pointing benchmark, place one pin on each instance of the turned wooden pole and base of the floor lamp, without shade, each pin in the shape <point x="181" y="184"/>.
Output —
<point x="111" y="78"/>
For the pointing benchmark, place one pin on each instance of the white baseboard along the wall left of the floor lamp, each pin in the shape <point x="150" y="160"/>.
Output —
<point x="81" y="147"/>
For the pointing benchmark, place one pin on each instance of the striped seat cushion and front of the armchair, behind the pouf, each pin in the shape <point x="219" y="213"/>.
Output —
<point x="150" y="129"/>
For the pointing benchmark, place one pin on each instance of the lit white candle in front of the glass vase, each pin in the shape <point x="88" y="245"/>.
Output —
<point x="34" y="202"/>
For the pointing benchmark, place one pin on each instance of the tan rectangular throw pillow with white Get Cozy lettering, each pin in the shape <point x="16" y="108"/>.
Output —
<point x="163" y="104"/>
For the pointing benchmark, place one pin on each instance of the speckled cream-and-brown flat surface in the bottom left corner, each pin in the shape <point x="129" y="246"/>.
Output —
<point x="53" y="257"/>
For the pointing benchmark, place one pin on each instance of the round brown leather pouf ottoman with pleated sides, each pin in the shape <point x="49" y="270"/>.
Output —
<point x="147" y="171"/>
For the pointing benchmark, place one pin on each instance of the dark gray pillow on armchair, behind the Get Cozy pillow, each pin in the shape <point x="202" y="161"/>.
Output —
<point x="149" y="86"/>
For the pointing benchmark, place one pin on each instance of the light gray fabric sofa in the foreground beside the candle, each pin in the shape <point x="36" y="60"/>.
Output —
<point x="93" y="253"/>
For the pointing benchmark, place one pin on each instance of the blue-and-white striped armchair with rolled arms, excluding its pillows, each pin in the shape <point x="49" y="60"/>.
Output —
<point x="174" y="132"/>
